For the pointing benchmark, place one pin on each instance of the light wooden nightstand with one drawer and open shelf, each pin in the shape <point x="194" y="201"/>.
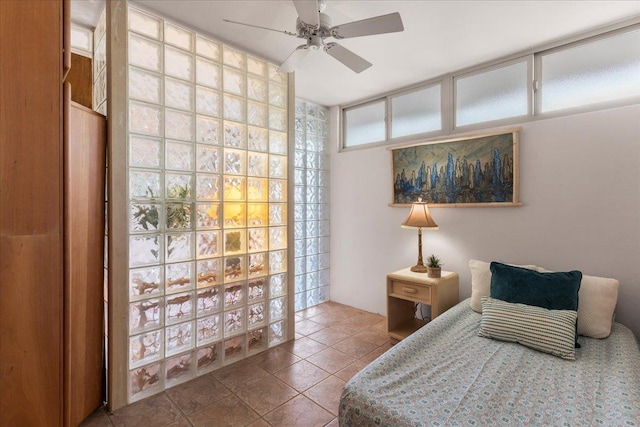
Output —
<point x="405" y="288"/>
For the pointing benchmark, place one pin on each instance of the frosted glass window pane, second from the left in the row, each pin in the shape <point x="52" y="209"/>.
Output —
<point x="416" y="112"/>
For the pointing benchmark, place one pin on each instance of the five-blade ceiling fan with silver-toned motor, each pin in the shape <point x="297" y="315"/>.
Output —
<point x="314" y="26"/>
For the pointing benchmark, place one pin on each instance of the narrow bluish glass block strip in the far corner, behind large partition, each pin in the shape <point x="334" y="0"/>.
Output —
<point x="311" y="205"/>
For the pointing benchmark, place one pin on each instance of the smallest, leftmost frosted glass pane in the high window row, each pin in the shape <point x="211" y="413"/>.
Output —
<point x="365" y="124"/>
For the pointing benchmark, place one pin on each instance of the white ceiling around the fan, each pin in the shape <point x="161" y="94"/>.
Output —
<point x="439" y="36"/>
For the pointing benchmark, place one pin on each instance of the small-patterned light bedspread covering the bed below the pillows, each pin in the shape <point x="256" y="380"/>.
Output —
<point x="445" y="375"/>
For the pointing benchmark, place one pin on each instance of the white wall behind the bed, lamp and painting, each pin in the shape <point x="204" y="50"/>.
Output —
<point x="580" y="185"/>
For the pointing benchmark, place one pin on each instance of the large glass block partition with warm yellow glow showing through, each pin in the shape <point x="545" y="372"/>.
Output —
<point x="207" y="204"/>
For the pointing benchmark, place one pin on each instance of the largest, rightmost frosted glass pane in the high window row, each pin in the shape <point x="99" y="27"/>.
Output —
<point x="601" y="71"/>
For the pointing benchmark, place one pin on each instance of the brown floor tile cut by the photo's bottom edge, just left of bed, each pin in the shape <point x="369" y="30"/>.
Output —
<point x="299" y="411"/>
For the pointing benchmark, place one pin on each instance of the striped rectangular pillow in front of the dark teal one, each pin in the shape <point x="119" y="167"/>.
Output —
<point x="550" y="331"/>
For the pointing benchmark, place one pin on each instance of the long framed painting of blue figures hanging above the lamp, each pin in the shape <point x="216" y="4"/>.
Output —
<point x="468" y="171"/>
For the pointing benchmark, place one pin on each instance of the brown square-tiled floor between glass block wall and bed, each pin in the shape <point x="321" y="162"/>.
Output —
<point x="294" y="384"/>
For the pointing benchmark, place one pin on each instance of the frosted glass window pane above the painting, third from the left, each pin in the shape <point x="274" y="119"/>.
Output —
<point x="492" y="95"/>
